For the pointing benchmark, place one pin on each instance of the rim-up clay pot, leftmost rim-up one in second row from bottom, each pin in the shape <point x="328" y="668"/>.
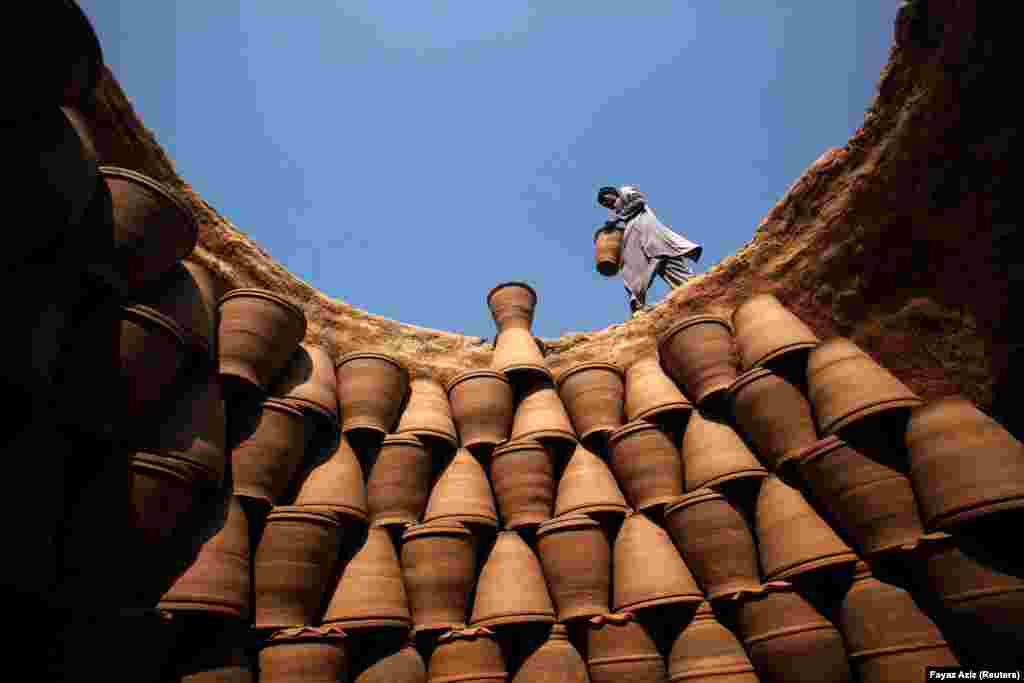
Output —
<point x="294" y="565"/>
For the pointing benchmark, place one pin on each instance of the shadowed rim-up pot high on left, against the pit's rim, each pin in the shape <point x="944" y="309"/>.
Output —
<point x="153" y="228"/>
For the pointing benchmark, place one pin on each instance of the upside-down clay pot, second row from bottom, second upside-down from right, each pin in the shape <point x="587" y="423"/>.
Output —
<point x="792" y="537"/>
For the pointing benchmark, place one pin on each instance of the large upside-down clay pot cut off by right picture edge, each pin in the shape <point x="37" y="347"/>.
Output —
<point x="964" y="465"/>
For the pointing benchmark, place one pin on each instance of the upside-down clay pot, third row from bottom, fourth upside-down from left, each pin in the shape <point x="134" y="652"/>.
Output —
<point x="714" y="454"/>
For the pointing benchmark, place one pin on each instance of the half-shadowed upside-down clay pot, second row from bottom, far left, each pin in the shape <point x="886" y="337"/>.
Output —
<point x="220" y="580"/>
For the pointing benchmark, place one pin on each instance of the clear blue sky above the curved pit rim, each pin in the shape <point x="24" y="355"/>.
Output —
<point x="407" y="157"/>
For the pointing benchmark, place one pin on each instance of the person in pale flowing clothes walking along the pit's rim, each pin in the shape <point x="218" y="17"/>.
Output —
<point x="650" y="248"/>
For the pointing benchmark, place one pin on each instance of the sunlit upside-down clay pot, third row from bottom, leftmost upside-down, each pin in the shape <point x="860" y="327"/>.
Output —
<point x="337" y="485"/>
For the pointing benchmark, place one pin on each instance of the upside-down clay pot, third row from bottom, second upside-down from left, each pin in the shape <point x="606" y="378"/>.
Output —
<point x="462" y="494"/>
